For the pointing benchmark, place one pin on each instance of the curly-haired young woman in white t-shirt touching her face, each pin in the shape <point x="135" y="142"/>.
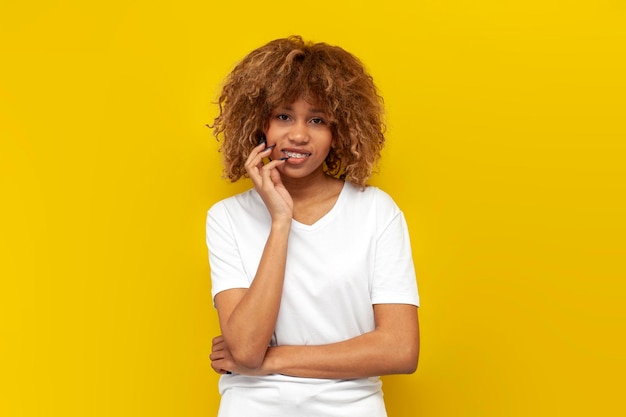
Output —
<point x="312" y="272"/>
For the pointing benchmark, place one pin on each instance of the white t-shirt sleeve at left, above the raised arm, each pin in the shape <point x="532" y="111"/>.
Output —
<point x="225" y="260"/>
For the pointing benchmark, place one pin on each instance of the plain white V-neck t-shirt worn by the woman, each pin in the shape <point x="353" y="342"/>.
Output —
<point x="357" y="255"/>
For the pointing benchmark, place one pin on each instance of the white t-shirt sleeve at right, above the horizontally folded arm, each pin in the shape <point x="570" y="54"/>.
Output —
<point x="394" y="272"/>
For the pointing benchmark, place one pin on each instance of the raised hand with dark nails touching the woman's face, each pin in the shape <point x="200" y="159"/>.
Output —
<point x="268" y="183"/>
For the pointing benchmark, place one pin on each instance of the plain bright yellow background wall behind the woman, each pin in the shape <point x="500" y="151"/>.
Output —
<point x="506" y="153"/>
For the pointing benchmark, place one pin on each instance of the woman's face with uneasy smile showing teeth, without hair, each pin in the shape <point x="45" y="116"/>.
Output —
<point x="302" y="133"/>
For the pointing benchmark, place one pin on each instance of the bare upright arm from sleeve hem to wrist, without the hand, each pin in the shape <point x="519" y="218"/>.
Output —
<point x="248" y="323"/>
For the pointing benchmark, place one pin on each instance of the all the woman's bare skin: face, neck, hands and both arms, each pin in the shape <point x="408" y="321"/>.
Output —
<point x="298" y="188"/>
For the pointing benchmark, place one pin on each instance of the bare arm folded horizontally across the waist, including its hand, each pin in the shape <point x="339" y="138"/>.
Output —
<point x="391" y="348"/>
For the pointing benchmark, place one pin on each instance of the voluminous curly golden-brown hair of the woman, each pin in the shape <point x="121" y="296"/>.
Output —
<point x="285" y="70"/>
